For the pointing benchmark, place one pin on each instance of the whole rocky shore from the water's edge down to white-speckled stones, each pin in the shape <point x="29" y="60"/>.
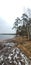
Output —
<point x="10" y="54"/>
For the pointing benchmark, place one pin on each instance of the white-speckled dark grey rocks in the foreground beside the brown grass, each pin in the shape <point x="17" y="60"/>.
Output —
<point x="13" y="56"/>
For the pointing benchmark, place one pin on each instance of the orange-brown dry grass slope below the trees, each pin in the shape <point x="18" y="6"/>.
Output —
<point x="24" y="44"/>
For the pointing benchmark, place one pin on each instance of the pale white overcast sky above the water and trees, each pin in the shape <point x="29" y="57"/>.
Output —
<point x="9" y="11"/>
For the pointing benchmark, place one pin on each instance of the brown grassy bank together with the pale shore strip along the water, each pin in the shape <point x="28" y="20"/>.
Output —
<point x="23" y="44"/>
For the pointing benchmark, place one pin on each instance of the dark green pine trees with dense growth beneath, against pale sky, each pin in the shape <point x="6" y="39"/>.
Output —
<point x="26" y="20"/>
